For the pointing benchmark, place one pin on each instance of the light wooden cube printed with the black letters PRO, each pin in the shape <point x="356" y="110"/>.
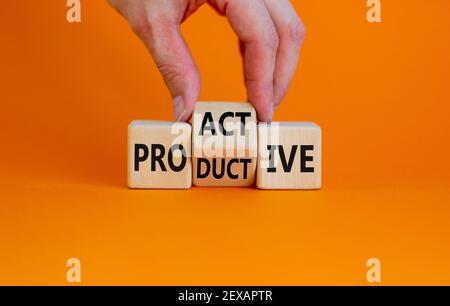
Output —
<point x="159" y="155"/>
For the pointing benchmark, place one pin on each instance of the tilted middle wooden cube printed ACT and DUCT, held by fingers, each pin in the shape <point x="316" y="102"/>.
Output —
<point x="224" y="141"/>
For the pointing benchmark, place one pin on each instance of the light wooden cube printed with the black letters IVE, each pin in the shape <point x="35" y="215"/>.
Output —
<point x="289" y="156"/>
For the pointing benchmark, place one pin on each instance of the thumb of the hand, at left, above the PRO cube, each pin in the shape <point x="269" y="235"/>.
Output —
<point x="174" y="60"/>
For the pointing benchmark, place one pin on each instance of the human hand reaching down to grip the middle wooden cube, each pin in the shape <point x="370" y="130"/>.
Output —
<point x="270" y="33"/>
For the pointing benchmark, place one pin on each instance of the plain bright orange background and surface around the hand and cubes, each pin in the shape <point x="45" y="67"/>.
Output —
<point x="379" y="91"/>
